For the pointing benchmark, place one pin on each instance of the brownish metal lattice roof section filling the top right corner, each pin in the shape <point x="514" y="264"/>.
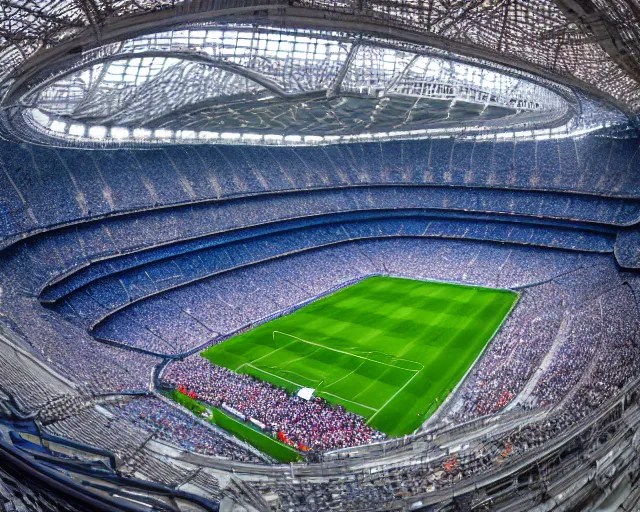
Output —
<point x="595" y="41"/>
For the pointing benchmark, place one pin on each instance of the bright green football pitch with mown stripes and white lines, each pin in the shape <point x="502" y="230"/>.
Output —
<point x="388" y="349"/>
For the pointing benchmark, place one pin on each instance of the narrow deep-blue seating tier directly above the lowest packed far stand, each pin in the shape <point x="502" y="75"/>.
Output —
<point x="105" y="290"/>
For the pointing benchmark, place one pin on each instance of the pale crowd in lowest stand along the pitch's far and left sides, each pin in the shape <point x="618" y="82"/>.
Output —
<point x="184" y="318"/>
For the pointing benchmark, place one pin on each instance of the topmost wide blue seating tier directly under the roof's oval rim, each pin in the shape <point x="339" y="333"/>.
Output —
<point x="41" y="187"/>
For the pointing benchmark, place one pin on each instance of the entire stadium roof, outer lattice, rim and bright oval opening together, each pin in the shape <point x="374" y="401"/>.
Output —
<point x="315" y="71"/>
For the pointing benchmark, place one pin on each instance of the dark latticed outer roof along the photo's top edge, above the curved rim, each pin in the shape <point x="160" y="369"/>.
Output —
<point x="595" y="41"/>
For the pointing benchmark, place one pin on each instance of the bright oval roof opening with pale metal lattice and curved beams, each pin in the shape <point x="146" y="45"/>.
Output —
<point x="264" y="81"/>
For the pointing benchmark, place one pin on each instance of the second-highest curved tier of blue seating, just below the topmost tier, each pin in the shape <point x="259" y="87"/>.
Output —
<point x="50" y="255"/>
